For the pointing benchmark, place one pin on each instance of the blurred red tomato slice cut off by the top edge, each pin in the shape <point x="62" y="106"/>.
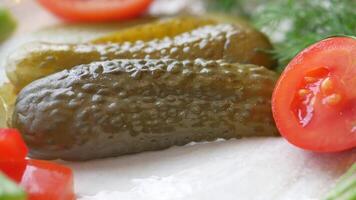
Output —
<point x="96" y="10"/>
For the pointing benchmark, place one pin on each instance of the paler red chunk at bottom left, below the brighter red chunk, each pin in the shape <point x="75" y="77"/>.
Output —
<point x="41" y="180"/>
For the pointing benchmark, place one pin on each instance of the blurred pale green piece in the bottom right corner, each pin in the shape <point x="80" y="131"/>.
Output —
<point x="345" y="189"/>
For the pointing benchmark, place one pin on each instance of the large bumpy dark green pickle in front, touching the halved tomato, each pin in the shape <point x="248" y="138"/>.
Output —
<point x="121" y="107"/>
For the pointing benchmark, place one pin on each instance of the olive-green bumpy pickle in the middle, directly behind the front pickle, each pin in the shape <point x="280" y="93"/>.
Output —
<point x="213" y="42"/>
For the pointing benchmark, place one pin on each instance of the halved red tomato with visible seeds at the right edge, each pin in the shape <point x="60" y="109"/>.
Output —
<point x="314" y="102"/>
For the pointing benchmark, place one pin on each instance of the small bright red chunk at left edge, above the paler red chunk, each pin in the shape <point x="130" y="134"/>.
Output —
<point x="12" y="147"/>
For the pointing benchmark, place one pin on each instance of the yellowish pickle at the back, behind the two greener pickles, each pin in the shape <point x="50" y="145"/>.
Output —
<point x="155" y="30"/>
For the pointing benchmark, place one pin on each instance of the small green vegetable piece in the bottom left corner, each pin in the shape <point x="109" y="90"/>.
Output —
<point x="9" y="190"/>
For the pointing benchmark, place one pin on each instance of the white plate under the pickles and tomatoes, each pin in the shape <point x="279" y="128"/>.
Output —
<point x="253" y="169"/>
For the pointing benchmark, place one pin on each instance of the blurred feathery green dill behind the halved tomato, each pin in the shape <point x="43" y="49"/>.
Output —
<point x="293" y="25"/>
